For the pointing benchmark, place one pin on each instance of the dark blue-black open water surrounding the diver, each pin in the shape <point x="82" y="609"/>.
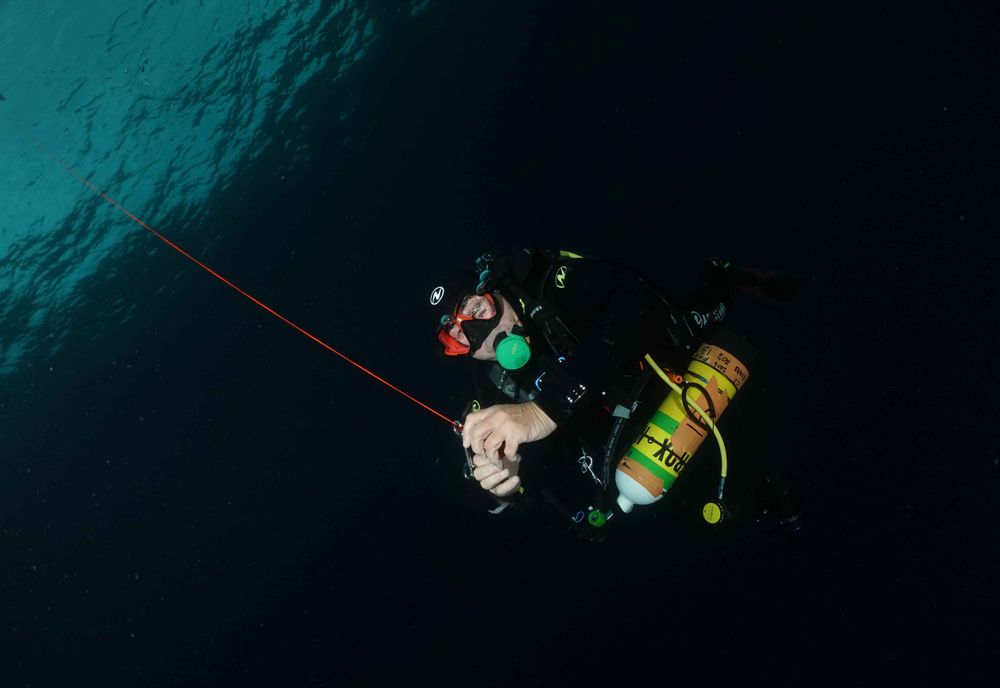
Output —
<point x="193" y="493"/>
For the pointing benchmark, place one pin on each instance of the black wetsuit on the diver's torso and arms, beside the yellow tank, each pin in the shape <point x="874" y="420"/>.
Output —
<point x="590" y="322"/>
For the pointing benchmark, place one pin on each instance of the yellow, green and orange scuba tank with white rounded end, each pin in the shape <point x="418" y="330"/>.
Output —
<point x="716" y="372"/>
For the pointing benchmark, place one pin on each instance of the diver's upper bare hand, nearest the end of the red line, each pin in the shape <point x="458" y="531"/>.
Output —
<point x="504" y="427"/>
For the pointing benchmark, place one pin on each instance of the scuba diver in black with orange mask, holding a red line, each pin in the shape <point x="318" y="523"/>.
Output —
<point x="561" y="339"/>
